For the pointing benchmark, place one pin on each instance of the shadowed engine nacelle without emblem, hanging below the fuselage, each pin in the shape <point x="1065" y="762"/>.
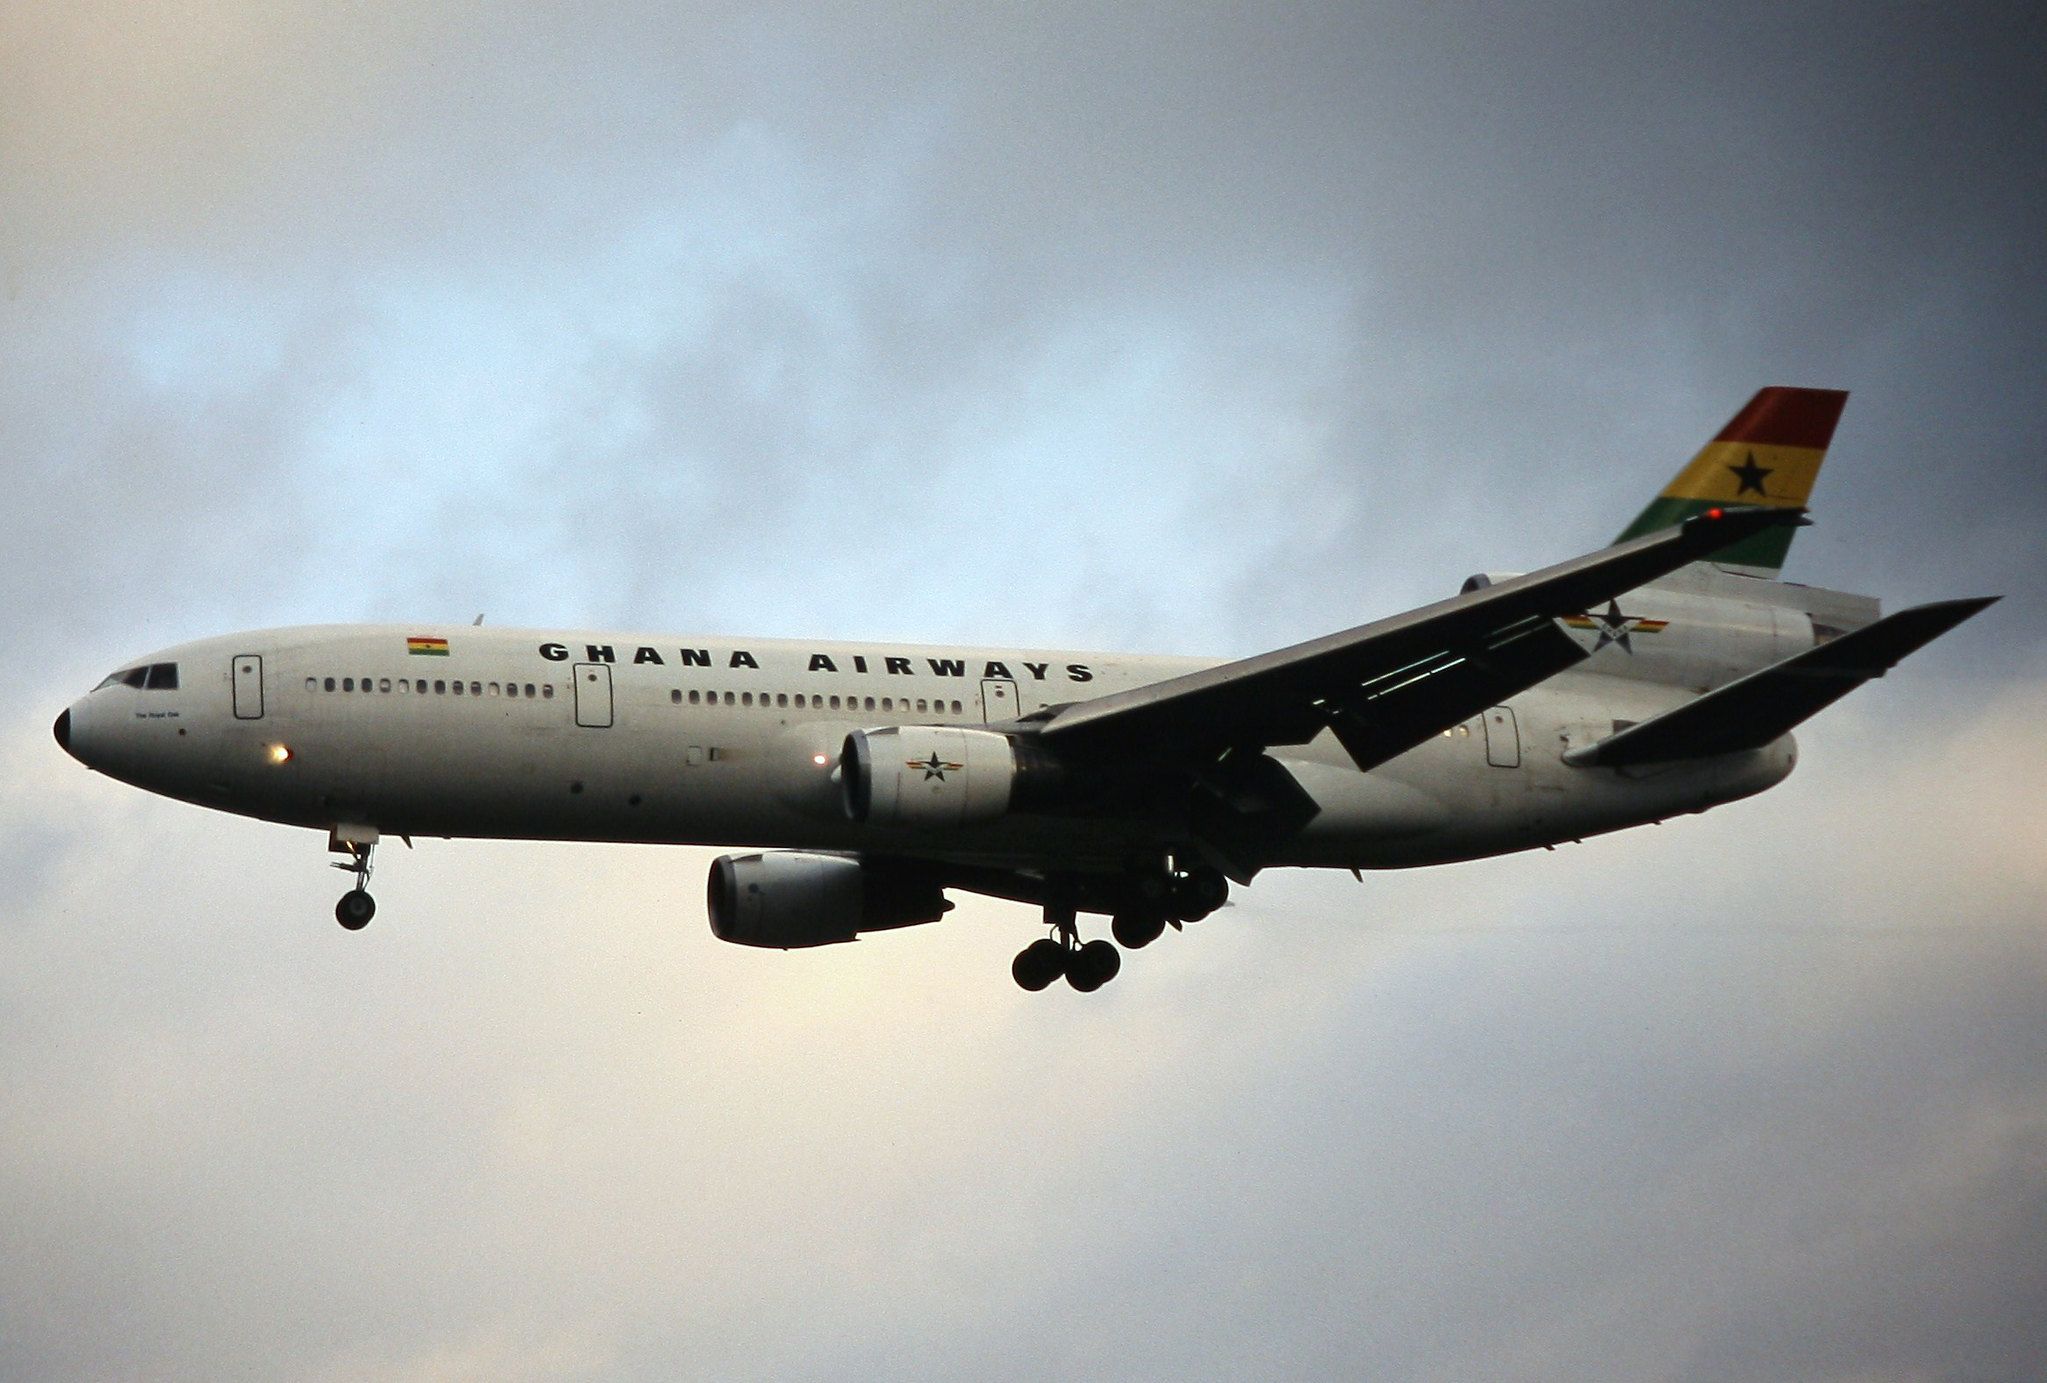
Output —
<point x="789" y="899"/>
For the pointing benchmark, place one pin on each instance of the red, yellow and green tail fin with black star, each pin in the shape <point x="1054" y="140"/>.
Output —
<point x="1768" y="455"/>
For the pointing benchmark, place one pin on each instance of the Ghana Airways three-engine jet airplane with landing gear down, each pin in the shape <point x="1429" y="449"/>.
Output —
<point x="1647" y="680"/>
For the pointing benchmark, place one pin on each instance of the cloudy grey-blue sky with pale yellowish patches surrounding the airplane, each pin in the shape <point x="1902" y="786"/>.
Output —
<point x="1176" y="328"/>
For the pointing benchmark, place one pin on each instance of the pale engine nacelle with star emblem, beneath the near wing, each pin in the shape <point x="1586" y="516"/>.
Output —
<point x="928" y="776"/>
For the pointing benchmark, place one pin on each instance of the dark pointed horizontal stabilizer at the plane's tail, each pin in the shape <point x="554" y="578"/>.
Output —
<point x="1757" y="709"/>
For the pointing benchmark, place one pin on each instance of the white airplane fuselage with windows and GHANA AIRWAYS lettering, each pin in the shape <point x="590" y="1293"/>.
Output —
<point x="717" y="742"/>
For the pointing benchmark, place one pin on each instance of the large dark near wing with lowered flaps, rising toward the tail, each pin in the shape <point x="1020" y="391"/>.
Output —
<point x="1391" y="684"/>
